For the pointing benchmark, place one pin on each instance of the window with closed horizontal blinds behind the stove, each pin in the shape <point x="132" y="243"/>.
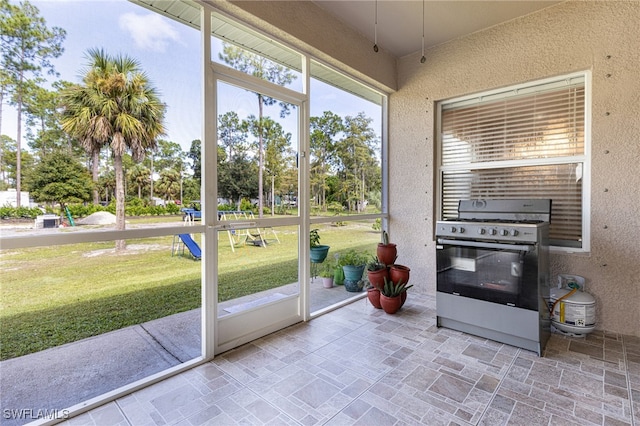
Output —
<point x="520" y="142"/>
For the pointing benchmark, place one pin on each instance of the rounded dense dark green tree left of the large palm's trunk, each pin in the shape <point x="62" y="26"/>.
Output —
<point x="59" y="178"/>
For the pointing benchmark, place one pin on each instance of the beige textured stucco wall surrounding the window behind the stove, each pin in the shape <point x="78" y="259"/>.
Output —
<point x="603" y="37"/>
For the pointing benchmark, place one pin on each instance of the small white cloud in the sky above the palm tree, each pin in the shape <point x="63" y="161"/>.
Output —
<point x="149" y="32"/>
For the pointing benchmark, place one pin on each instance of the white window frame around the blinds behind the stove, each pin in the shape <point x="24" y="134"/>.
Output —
<point x="584" y="159"/>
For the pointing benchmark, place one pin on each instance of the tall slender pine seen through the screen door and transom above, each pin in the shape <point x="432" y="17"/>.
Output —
<point x="261" y="67"/>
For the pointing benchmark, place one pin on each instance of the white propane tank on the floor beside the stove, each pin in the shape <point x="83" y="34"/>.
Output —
<point x="573" y="312"/>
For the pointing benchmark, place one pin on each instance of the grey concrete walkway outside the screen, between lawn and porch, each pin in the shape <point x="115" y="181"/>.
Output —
<point x="60" y="377"/>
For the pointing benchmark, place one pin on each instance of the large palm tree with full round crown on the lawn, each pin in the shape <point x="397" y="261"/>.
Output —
<point x="118" y="107"/>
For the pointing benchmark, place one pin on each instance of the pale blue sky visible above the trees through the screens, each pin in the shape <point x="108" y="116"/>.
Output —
<point x="168" y="52"/>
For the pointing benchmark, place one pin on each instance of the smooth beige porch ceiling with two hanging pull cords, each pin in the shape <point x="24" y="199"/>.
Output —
<point x="399" y="28"/>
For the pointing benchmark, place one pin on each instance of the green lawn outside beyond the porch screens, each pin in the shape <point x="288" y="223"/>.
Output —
<point x="55" y="295"/>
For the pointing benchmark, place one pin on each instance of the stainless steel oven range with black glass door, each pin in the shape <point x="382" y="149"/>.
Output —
<point x="493" y="271"/>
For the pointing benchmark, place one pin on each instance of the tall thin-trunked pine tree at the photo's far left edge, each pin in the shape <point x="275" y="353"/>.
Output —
<point x="27" y="47"/>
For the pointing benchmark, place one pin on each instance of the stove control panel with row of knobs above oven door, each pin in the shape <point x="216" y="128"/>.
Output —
<point x="489" y="231"/>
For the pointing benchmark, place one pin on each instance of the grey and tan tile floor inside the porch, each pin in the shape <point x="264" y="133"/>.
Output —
<point x="360" y="366"/>
